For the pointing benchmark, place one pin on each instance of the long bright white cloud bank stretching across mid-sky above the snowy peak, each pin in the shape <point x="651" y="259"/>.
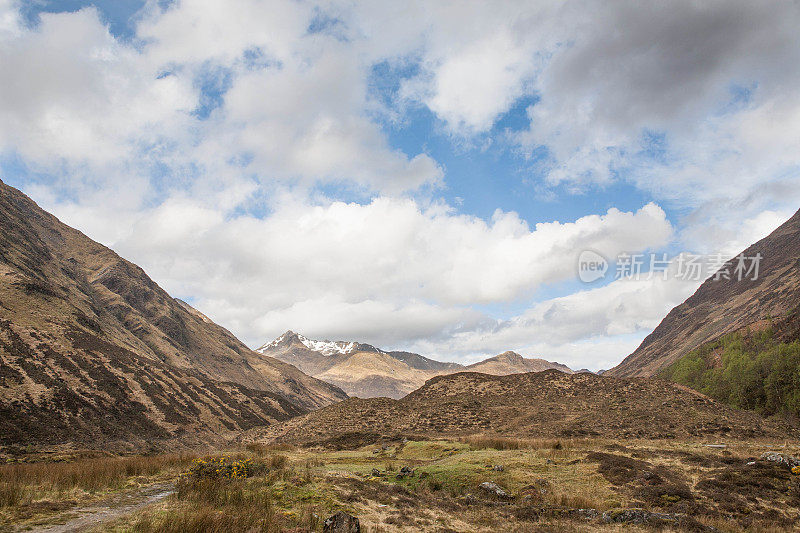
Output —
<point x="388" y="271"/>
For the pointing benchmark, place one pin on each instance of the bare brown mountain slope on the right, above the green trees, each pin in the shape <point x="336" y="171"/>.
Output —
<point x="724" y="306"/>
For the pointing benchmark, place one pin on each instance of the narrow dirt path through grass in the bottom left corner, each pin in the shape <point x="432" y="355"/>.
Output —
<point x="120" y="505"/>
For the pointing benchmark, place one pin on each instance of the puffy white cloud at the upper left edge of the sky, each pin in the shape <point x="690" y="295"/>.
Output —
<point x="72" y="92"/>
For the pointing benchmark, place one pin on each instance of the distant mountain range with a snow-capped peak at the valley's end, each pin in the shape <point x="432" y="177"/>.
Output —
<point x="366" y="371"/>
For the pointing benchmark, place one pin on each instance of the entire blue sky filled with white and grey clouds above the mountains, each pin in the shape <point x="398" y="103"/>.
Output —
<point x="416" y="175"/>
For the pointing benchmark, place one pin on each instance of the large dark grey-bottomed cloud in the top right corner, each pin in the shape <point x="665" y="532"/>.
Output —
<point x="684" y="96"/>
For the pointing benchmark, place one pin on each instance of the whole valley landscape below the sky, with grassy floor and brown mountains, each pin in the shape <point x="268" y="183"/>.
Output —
<point x="124" y="409"/>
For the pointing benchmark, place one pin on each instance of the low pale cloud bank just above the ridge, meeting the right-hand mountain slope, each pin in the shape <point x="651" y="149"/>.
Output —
<point x="590" y="328"/>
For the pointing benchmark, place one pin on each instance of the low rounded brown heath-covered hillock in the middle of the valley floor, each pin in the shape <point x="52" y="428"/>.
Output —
<point x="543" y="404"/>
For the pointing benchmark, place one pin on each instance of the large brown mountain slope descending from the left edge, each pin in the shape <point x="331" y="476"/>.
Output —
<point x="94" y="352"/>
